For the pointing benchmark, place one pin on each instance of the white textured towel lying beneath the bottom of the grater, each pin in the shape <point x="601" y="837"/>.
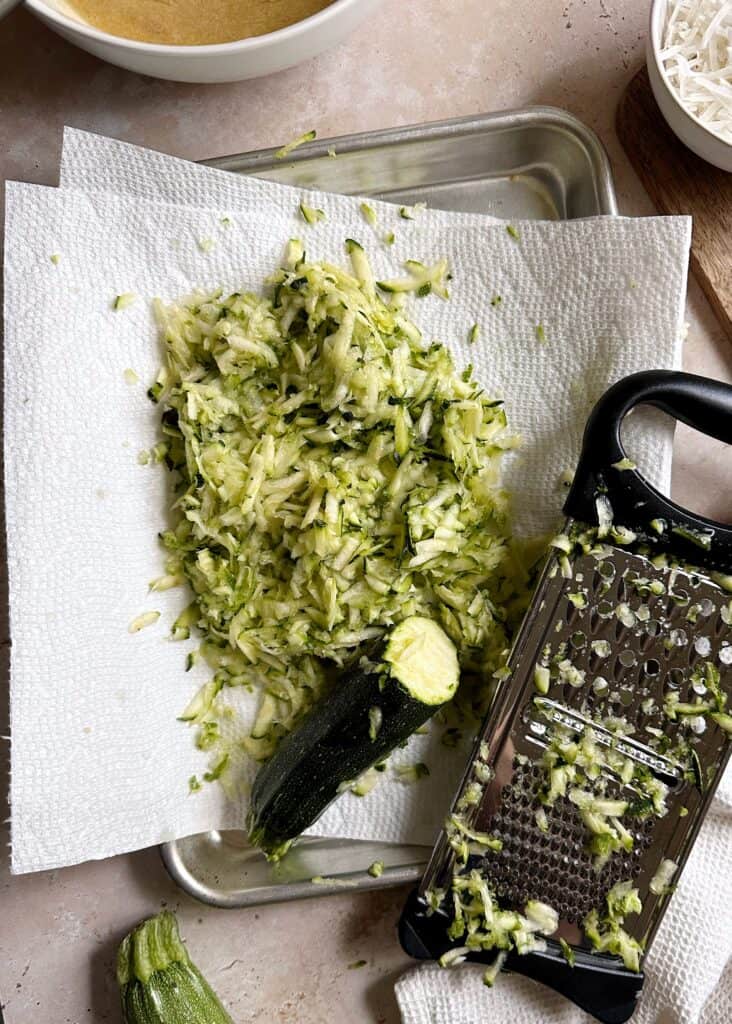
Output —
<point x="688" y="970"/>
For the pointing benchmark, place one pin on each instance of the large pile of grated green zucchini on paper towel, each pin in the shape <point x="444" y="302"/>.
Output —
<point x="335" y="475"/>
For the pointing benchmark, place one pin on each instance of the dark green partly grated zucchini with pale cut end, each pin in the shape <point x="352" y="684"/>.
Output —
<point x="369" y="713"/>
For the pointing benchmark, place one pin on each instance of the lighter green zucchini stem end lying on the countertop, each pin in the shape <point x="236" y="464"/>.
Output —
<point x="159" y="984"/>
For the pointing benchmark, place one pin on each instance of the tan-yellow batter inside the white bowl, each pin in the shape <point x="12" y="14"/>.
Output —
<point x="191" y="23"/>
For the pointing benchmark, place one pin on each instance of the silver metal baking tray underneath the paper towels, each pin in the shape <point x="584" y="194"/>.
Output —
<point x="538" y="163"/>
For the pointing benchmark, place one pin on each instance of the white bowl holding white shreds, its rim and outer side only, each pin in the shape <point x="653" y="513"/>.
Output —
<point x="688" y="129"/>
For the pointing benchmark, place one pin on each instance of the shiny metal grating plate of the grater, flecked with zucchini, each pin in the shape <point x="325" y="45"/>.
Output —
<point x="633" y="648"/>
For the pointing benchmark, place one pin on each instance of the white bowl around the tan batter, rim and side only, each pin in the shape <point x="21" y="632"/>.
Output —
<point x="218" y="62"/>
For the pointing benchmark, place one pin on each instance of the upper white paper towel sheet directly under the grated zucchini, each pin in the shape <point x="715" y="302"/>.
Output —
<point x="100" y="764"/>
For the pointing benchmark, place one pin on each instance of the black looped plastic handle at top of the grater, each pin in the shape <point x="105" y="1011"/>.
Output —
<point x="703" y="404"/>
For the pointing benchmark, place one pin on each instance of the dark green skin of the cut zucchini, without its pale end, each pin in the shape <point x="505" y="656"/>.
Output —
<point x="331" y="748"/>
